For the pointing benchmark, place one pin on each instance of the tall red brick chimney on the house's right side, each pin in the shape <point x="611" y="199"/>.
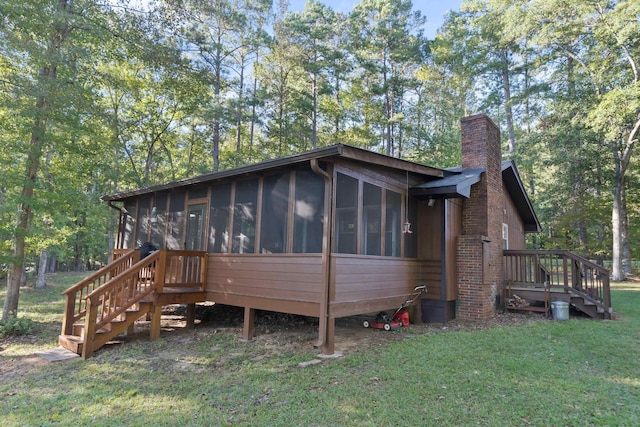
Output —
<point x="479" y="247"/>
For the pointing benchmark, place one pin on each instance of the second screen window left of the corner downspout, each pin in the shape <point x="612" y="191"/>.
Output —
<point x="275" y="213"/>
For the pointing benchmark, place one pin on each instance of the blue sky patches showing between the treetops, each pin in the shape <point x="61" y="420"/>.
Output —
<point x="434" y="10"/>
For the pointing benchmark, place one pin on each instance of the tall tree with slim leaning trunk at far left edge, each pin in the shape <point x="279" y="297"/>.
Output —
<point x="48" y="39"/>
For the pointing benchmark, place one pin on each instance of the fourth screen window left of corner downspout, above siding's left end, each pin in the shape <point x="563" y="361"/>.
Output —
<point x="219" y="218"/>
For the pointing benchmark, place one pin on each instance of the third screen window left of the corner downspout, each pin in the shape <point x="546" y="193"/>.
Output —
<point x="244" y="216"/>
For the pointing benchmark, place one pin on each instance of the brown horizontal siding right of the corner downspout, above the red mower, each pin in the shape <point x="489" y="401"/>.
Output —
<point x="368" y="284"/>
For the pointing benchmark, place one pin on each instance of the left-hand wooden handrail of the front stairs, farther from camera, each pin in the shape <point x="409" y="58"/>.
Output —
<point x="75" y="296"/>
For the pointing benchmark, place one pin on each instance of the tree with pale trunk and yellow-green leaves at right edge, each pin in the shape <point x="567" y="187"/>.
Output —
<point x="609" y="57"/>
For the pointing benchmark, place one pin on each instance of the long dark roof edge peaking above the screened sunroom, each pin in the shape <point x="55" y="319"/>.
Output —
<point x="338" y="150"/>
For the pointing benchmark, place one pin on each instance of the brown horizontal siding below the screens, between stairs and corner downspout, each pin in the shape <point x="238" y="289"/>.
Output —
<point x="285" y="283"/>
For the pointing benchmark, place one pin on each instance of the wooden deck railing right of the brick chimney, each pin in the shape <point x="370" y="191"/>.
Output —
<point x="560" y="269"/>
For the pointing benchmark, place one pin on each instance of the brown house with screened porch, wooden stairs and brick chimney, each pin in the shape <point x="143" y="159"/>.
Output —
<point x="329" y="233"/>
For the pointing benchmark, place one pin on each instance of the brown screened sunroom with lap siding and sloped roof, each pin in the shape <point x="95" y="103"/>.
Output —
<point x="328" y="233"/>
